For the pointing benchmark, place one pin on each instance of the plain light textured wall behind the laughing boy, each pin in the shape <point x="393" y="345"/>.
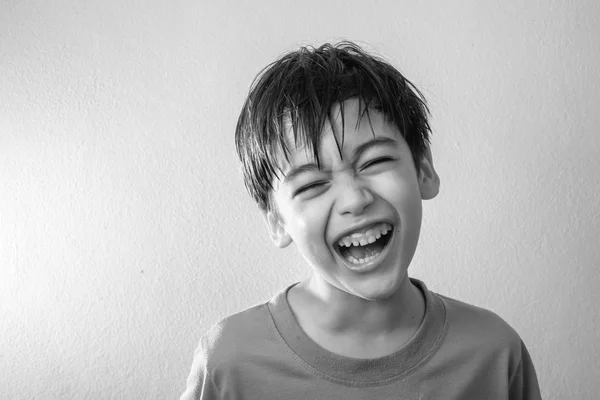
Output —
<point x="125" y="230"/>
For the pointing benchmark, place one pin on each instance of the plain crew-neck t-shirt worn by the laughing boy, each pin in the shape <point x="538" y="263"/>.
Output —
<point x="460" y="351"/>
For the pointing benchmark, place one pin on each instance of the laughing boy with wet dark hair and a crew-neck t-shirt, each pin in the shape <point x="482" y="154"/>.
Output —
<point x="334" y="149"/>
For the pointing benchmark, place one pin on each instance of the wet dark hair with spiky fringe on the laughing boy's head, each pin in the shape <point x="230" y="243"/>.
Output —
<point x="299" y="90"/>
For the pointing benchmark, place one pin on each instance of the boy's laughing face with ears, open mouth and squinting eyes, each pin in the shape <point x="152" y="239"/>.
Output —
<point x="332" y="214"/>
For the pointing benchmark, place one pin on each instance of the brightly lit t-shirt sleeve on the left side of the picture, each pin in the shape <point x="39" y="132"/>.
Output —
<point x="199" y="385"/>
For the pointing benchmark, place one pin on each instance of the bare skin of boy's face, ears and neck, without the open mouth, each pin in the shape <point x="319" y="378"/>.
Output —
<point x="370" y="310"/>
